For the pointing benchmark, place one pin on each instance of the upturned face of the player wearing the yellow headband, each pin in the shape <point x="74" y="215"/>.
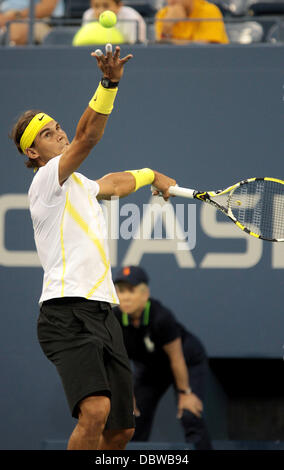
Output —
<point x="50" y="141"/>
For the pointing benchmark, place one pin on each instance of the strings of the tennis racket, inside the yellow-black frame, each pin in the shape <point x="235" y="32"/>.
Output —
<point x="259" y="206"/>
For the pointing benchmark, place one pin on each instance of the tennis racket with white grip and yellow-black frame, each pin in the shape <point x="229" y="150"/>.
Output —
<point x="255" y="205"/>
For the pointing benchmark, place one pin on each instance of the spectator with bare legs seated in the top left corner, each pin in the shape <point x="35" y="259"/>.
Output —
<point x="12" y="10"/>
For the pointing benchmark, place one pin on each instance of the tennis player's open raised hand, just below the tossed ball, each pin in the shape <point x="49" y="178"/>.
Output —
<point x="111" y="64"/>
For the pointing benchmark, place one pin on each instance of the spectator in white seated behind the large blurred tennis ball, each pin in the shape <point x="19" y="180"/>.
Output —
<point x="127" y="28"/>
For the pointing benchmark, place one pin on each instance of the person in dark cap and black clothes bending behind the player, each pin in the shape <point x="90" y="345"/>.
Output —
<point x="164" y="353"/>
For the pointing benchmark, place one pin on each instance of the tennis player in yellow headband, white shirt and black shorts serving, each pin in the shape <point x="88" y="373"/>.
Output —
<point x="77" y="328"/>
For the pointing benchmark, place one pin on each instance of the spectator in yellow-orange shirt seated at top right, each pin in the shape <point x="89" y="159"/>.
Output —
<point x="180" y="32"/>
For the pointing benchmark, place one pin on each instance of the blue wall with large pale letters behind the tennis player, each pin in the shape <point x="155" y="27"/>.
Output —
<point x="207" y="116"/>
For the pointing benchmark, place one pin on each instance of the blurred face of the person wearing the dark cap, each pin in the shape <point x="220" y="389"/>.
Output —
<point x="132" y="298"/>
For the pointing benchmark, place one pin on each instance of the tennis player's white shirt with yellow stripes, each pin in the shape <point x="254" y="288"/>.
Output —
<point x="70" y="236"/>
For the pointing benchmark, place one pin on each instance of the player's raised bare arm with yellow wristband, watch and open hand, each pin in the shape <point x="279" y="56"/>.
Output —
<point x="91" y="126"/>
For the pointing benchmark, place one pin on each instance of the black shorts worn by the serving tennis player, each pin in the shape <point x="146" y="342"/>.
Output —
<point x="83" y="339"/>
